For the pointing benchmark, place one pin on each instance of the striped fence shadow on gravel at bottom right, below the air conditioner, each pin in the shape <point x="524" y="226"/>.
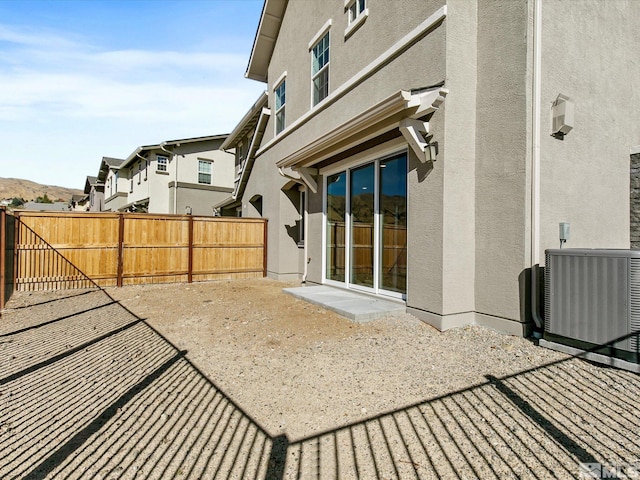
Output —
<point x="554" y="421"/>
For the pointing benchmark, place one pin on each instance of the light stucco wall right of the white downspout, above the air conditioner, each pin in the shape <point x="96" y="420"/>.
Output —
<point x="586" y="175"/>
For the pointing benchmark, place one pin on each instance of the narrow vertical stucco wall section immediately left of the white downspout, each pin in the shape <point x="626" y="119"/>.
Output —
<point x="501" y="156"/>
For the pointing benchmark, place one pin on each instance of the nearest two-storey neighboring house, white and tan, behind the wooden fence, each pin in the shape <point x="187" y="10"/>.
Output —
<point x="178" y="176"/>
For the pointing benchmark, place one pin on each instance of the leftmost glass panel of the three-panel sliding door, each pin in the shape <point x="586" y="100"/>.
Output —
<point x="336" y="216"/>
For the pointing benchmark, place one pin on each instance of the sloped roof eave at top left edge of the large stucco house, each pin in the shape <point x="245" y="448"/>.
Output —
<point x="265" y="40"/>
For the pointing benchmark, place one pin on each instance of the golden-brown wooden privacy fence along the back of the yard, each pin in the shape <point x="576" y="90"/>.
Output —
<point x="75" y="250"/>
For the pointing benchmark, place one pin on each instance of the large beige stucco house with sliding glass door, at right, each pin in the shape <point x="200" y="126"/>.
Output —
<point x="418" y="140"/>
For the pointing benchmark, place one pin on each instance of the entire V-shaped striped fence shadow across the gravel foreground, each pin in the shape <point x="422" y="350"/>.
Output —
<point x="90" y="390"/>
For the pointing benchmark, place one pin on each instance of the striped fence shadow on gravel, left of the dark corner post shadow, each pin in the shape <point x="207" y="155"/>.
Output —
<point x="99" y="393"/>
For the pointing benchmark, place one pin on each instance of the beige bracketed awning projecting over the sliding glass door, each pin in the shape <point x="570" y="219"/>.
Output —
<point x="373" y="122"/>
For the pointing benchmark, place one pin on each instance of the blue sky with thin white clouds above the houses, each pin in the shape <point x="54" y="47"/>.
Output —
<point x="83" y="79"/>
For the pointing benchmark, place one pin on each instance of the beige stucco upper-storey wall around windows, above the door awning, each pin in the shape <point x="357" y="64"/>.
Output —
<point x="420" y="65"/>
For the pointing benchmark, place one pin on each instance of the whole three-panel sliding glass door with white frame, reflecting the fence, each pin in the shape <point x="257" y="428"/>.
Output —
<point x="366" y="226"/>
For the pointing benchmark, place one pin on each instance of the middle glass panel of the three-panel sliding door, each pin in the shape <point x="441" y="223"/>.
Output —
<point x="362" y="207"/>
